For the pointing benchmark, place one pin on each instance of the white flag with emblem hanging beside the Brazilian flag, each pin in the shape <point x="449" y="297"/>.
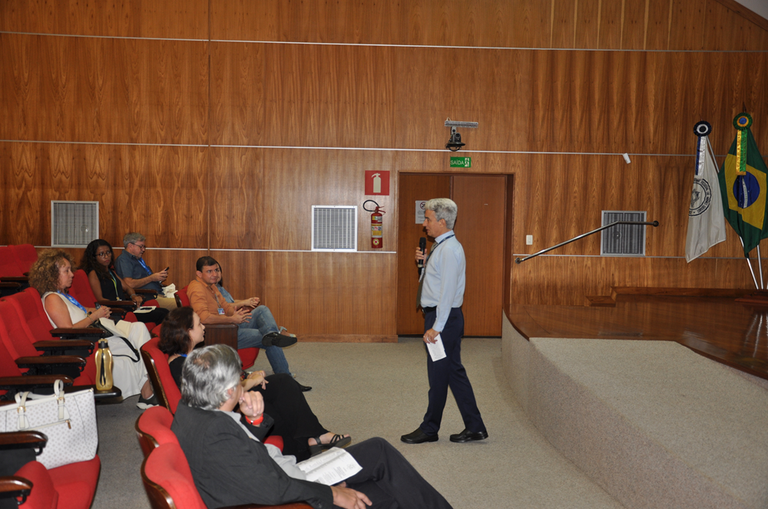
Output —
<point x="706" y="222"/>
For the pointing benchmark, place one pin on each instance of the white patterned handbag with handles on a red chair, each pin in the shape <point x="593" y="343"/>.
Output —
<point x="68" y="420"/>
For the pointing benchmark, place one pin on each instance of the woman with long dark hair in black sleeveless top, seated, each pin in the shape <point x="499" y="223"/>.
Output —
<point x="97" y="262"/>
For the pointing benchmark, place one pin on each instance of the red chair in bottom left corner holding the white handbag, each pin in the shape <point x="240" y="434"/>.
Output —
<point x="67" y="487"/>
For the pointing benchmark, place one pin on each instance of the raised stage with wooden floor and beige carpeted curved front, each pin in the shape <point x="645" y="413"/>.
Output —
<point x="632" y="397"/>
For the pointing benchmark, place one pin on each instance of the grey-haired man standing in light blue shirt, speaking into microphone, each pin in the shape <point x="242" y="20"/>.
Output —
<point x="441" y="296"/>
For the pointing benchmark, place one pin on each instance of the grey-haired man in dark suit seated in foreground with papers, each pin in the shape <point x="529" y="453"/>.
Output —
<point x="231" y="466"/>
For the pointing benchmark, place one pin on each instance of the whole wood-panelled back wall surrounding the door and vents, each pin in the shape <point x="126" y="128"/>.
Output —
<point x="121" y="111"/>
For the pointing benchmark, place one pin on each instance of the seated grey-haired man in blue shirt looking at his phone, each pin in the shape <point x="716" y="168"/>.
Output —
<point x="132" y="268"/>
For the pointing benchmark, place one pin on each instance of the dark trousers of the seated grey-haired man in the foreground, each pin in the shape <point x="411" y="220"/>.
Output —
<point x="389" y="480"/>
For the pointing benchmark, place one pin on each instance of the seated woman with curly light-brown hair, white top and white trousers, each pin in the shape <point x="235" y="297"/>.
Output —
<point x="51" y="275"/>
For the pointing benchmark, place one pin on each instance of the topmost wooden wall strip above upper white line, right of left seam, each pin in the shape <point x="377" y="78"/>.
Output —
<point x="572" y="24"/>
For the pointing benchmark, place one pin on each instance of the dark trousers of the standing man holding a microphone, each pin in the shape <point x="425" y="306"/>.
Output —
<point x="449" y="372"/>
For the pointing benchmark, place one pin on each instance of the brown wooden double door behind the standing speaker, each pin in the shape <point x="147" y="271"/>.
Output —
<point x="480" y="227"/>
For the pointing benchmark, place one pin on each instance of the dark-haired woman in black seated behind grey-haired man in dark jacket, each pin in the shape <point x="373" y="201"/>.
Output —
<point x="294" y="421"/>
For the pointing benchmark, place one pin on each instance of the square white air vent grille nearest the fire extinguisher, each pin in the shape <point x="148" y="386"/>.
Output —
<point x="334" y="228"/>
